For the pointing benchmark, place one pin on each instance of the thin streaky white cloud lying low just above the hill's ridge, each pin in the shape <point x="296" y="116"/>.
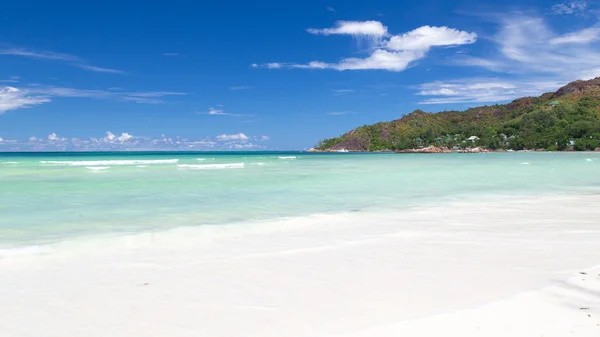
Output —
<point x="482" y="90"/>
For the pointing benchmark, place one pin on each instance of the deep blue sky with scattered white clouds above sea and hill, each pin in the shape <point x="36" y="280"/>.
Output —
<point x="273" y="74"/>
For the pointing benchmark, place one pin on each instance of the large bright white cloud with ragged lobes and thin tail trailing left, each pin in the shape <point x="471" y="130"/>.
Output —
<point x="391" y="52"/>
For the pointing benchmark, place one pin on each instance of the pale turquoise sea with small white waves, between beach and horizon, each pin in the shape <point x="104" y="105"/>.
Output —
<point x="51" y="197"/>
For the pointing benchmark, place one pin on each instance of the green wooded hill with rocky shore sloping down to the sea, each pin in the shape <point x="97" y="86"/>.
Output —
<point x="567" y="119"/>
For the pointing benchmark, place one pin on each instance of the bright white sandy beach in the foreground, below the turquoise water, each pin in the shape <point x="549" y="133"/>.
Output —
<point x="478" y="269"/>
